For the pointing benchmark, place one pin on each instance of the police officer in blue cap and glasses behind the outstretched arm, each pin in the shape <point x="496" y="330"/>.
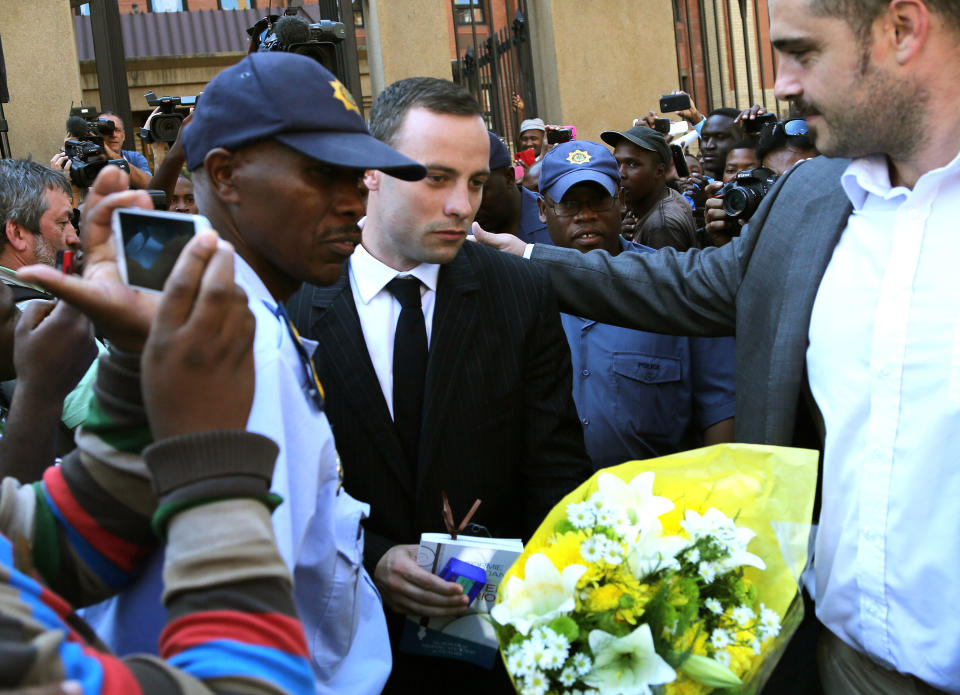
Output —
<point x="638" y="394"/>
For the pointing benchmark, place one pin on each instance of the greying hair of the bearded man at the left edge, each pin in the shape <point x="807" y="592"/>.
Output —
<point x="23" y="192"/>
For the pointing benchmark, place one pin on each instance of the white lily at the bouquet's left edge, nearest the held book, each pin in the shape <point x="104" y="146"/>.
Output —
<point x="542" y="595"/>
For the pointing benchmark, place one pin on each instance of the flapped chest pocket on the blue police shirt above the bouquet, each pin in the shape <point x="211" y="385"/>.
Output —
<point x="650" y="394"/>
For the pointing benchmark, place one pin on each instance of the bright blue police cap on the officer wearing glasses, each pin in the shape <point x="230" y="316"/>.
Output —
<point x="577" y="161"/>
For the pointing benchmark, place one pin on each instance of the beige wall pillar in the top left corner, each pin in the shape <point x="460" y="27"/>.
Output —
<point x="43" y="79"/>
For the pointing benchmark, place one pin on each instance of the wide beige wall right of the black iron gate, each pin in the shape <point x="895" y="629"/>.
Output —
<point x="601" y="63"/>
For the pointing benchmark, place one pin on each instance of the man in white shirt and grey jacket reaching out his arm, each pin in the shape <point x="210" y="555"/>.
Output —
<point x="844" y="280"/>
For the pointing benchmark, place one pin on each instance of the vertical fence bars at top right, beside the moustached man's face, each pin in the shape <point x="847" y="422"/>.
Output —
<point x="724" y="53"/>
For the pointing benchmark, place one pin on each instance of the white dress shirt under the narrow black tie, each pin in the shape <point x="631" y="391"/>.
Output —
<point x="379" y="310"/>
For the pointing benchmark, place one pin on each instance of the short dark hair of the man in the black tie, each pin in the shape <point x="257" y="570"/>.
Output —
<point x="431" y="93"/>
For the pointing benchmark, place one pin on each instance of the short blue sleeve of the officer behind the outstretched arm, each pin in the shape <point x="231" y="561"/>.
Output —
<point x="713" y="365"/>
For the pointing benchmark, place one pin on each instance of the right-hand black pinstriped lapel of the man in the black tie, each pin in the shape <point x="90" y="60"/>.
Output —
<point x="454" y="322"/>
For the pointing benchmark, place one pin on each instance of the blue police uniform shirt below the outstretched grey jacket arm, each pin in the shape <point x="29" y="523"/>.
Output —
<point x="640" y="394"/>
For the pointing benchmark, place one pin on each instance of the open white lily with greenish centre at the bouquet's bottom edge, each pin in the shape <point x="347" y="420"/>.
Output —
<point x="626" y="665"/>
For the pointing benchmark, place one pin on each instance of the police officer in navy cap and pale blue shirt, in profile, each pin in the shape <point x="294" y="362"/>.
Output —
<point x="278" y="148"/>
